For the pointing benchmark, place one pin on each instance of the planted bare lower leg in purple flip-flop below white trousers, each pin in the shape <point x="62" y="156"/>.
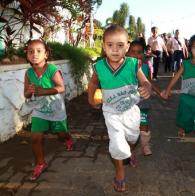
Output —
<point x="119" y="182"/>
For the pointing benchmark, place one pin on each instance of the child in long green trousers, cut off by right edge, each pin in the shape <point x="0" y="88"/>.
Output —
<point x="185" y="119"/>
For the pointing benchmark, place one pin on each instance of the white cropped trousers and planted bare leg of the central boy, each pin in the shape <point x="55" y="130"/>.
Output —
<point x="120" y="130"/>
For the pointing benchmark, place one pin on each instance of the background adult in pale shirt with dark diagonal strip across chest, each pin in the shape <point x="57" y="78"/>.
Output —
<point x="179" y="50"/>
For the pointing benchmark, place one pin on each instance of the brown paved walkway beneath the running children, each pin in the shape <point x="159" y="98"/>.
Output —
<point x="88" y="170"/>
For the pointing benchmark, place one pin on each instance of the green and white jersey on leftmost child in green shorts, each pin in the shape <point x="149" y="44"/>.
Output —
<point x="50" y="107"/>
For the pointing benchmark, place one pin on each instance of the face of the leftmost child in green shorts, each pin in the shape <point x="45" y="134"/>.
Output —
<point x="37" y="54"/>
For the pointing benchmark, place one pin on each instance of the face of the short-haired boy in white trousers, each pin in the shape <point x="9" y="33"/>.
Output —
<point x="115" y="46"/>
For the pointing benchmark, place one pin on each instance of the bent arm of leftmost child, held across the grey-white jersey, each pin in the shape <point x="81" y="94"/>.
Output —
<point x="58" y="88"/>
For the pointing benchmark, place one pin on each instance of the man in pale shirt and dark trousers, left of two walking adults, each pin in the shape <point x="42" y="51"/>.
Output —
<point x="157" y="44"/>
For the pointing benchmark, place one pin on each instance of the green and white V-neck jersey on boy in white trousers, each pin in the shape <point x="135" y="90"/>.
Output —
<point x="119" y="87"/>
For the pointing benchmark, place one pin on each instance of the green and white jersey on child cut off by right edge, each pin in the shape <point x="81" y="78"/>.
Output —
<point x="188" y="78"/>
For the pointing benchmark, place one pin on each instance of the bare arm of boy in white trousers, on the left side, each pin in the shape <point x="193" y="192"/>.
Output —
<point x="93" y="85"/>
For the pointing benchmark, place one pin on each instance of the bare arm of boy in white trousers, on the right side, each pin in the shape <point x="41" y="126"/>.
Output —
<point x="145" y="89"/>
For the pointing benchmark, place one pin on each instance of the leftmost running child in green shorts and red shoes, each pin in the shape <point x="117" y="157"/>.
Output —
<point x="44" y="83"/>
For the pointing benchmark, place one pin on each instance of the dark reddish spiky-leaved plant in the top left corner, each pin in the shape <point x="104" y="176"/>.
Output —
<point x="19" y="14"/>
